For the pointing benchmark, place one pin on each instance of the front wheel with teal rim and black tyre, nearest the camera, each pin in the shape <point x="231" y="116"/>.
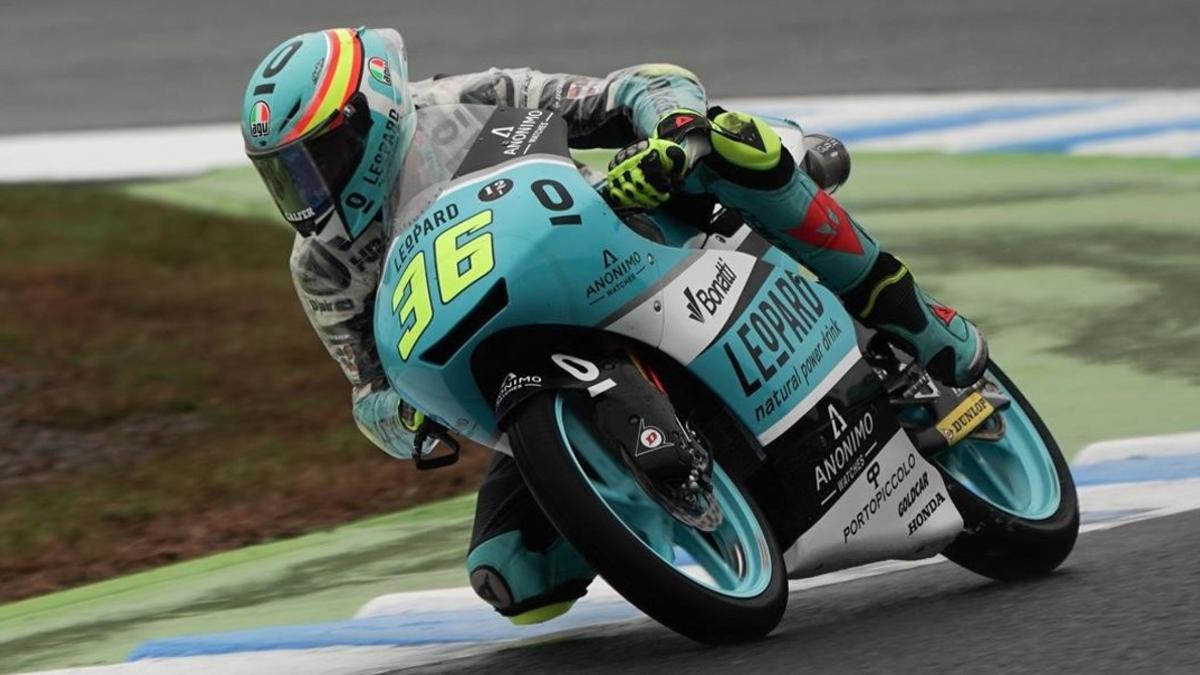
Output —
<point x="727" y="586"/>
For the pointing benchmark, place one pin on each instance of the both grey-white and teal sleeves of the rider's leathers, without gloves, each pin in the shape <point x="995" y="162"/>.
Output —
<point x="337" y="278"/>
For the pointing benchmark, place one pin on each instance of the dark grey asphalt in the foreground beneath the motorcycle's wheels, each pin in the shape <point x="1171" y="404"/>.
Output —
<point x="1126" y="601"/>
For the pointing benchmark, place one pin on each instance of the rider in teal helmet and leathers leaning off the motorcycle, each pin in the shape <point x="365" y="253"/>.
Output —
<point x="328" y="123"/>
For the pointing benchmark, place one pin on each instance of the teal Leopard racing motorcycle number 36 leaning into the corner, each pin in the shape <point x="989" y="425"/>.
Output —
<point x="693" y="411"/>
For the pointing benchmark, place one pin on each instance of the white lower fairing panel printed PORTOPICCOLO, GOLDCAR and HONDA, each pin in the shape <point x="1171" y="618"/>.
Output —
<point x="897" y="509"/>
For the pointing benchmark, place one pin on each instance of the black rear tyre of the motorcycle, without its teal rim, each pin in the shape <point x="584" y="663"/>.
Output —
<point x="1001" y="546"/>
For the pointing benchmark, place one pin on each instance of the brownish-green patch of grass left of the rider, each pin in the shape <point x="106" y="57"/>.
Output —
<point x="163" y="396"/>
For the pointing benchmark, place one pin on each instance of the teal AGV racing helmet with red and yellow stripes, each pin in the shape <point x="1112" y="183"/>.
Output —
<point x="327" y="121"/>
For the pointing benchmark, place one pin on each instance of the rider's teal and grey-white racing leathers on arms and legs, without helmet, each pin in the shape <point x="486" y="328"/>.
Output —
<point x="518" y="563"/>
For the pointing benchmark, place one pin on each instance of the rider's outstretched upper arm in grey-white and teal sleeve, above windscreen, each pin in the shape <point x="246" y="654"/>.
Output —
<point x="610" y="112"/>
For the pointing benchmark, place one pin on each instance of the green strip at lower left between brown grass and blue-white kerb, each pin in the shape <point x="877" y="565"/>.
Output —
<point x="311" y="578"/>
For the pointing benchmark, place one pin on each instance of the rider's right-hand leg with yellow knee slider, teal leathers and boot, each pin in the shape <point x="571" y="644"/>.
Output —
<point x="760" y="180"/>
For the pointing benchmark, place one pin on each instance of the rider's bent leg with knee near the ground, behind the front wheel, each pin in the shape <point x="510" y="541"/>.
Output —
<point x="518" y="561"/>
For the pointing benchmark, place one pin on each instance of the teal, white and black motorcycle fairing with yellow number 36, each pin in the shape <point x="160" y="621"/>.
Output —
<point x="771" y="343"/>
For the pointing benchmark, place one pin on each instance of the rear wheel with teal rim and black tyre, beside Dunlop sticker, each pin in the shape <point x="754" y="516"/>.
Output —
<point x="1016" y="494"/>
